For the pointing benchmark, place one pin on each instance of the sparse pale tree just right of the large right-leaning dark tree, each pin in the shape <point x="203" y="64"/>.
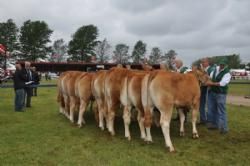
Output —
<point x="102" y="50"/>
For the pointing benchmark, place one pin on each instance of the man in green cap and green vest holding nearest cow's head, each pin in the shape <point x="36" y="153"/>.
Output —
<point x="217" y="116"/>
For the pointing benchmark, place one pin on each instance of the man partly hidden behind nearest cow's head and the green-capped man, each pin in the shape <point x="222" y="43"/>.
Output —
<point x="204" y="89"/>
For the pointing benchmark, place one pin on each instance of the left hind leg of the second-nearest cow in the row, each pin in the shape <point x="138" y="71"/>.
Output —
<point x="127" y="120"/>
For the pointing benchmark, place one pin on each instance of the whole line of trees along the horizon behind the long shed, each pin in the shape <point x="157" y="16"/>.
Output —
<point x="32" y="42"/>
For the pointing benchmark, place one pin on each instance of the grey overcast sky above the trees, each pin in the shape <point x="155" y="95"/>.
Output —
<point x="193" y="28"/>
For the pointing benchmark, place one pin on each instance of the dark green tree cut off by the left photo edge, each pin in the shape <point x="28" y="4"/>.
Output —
<point x="8" y="36"/>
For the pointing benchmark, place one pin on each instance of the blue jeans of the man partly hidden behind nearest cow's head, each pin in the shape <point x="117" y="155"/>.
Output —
<point x="203" y="99"/>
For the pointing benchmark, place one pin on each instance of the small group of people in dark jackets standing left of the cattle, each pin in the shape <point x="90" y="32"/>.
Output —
<point x="26" y="80"/>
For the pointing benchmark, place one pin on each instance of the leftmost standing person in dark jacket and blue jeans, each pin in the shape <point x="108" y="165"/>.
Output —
<point x="19" y="84"/>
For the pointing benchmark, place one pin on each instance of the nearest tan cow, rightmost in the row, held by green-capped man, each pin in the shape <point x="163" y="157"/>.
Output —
<point x="164" y="90"/>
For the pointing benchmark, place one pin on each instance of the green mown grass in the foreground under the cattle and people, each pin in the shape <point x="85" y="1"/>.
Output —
<point x="42" y="136"/>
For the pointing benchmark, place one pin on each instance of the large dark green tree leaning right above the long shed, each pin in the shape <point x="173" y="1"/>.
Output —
<point x="83" y="43"/>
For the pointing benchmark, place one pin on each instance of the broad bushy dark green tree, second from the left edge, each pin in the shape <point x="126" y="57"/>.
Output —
<point x="34" y="37"/>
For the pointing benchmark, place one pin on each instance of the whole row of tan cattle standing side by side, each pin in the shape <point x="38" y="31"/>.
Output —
<point x="143" y="90"/>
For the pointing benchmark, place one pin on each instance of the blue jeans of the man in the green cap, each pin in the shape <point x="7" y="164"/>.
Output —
<point x="217" y="114"/>
